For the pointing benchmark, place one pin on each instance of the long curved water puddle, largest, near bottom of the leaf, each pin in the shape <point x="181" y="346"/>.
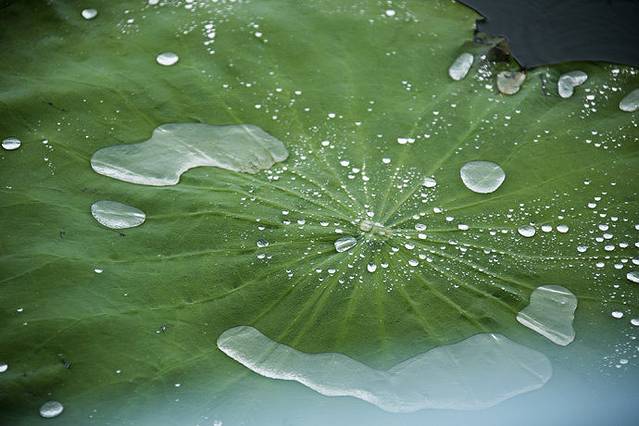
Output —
<point x="475" y="373"/>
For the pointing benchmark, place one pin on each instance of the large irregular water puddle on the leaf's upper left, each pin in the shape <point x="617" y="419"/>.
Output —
<point x="175" y="148"/>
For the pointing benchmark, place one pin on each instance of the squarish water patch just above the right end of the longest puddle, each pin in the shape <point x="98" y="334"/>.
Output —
<point x="550" y="313"/>
